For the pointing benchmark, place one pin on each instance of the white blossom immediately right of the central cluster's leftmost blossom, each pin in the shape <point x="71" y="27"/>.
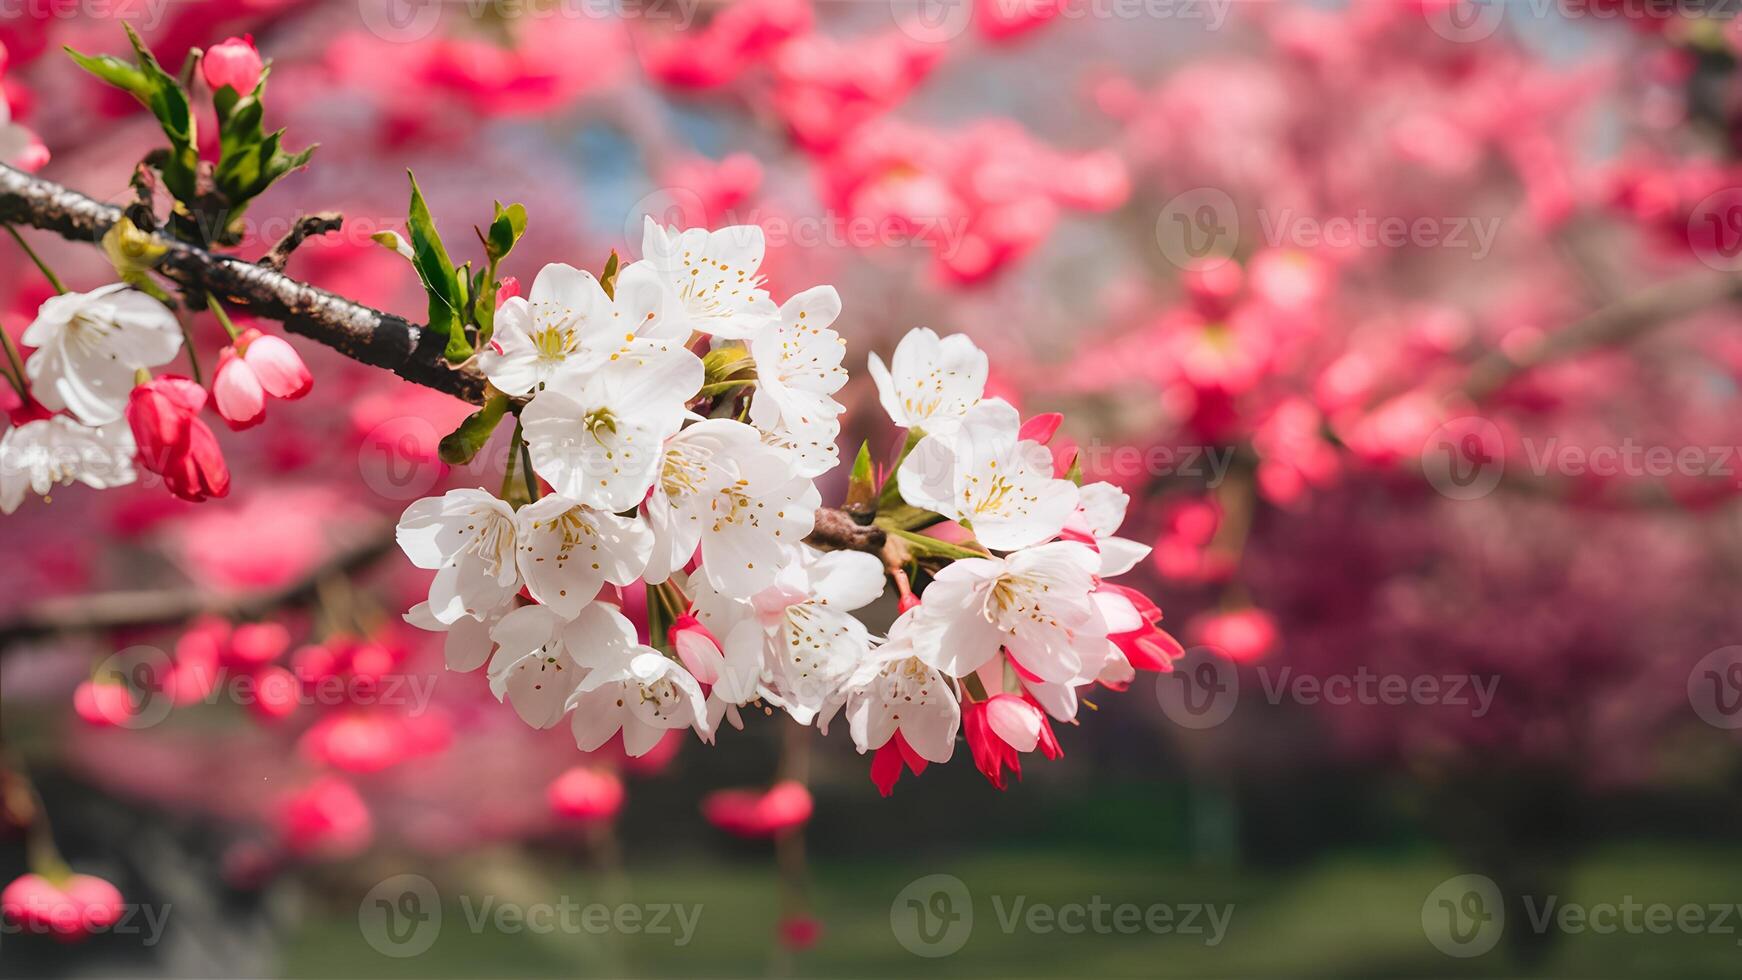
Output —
<point x="569" y="551"/>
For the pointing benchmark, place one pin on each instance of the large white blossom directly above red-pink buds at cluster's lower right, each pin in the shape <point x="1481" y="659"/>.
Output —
<point x="1034" y="603"/>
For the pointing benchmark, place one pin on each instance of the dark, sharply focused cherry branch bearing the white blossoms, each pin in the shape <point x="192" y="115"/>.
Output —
<point x="361" y="333"/>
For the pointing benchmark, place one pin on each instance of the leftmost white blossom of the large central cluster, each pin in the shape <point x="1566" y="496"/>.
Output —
<point x="468" y="537"/>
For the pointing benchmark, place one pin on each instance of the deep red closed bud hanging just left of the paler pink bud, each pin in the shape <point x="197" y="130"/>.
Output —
<point x="173" y="441"/>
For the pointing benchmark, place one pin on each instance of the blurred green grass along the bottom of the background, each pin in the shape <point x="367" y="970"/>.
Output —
<point x="1349" y="915"/>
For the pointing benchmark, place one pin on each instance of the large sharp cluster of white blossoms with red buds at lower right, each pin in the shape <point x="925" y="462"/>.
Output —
<point x="675" y="424"/>
